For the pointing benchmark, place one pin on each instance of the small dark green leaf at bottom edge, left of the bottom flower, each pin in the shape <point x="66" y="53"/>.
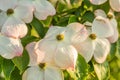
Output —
<point x="15" y="75"/>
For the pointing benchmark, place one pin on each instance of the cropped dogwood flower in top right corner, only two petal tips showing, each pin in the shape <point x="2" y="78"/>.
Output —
<point x="115" y="4"/>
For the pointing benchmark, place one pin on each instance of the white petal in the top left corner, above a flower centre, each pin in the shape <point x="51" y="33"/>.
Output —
<point x="7" y="4"/>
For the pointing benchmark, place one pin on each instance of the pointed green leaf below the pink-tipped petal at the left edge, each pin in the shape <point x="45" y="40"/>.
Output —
<point x="22" y="61"/>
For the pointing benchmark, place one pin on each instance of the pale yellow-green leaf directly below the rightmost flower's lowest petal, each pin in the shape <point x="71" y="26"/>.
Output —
<point x="102" y="70"/>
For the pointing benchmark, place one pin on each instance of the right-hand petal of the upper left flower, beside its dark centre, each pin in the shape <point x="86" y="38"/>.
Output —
<point x="24" y="12"/>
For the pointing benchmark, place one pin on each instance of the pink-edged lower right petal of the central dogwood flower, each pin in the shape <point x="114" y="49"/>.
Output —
<point x="65" y="57"/>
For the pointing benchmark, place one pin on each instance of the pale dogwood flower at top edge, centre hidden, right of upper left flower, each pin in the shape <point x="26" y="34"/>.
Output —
<point x="42" y="8"/>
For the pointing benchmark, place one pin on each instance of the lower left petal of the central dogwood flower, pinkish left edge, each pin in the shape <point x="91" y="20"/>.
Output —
<point x="45" y="50"/>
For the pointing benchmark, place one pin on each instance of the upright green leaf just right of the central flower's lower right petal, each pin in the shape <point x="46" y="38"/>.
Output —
<point x="81" y="68"/>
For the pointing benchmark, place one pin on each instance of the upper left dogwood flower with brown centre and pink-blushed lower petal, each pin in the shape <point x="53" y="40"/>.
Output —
<point x="13" y="17"/>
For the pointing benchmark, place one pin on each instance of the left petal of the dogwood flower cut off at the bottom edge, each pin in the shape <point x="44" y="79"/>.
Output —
<point x="33" y="73"/>
